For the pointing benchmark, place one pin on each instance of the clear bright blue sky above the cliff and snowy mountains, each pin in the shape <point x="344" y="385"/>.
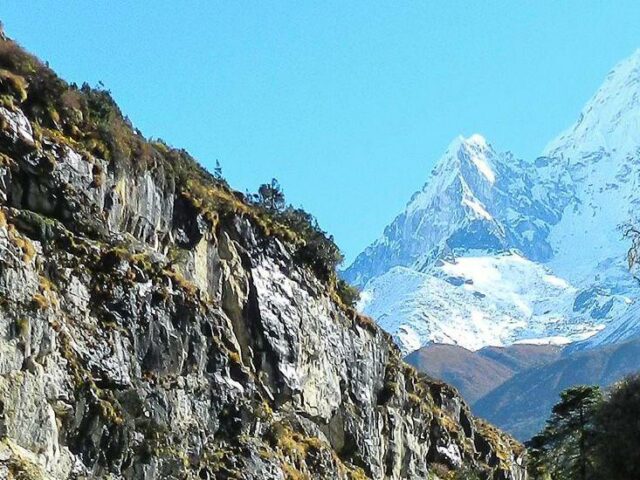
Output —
<point x="348" y="104"/>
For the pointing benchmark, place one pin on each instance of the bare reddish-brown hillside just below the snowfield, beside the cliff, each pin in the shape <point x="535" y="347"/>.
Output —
<point x="476" y="373"/>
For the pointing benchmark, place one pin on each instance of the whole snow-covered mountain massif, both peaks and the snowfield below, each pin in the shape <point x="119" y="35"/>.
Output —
<point x="538" y="246"/>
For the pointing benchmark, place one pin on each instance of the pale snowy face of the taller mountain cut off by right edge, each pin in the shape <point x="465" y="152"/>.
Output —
<point x="600" y="153"/>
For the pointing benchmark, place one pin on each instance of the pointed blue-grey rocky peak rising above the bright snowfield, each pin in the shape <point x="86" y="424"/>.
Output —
<point x="475" y="198"/>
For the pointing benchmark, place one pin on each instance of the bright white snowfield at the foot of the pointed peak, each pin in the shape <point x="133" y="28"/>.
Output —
<point x="478" y="301"/>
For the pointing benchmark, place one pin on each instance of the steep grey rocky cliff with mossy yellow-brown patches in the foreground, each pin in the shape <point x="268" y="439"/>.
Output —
<point x="153" y="324"/>
